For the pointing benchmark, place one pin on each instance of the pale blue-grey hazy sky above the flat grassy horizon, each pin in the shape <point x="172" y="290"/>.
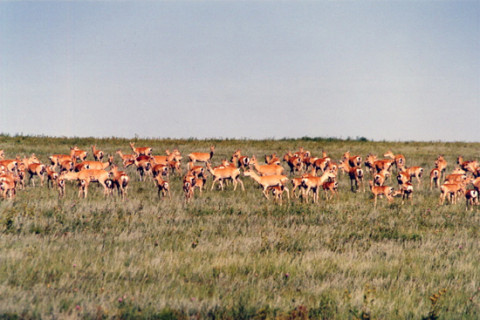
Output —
<point x="384" y="70"/>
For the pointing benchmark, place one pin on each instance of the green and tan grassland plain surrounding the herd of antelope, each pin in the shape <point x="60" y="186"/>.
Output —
<point x="237" y="255"/>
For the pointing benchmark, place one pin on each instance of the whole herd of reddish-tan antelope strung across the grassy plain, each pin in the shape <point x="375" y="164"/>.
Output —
<point x="308" y="174"/>
